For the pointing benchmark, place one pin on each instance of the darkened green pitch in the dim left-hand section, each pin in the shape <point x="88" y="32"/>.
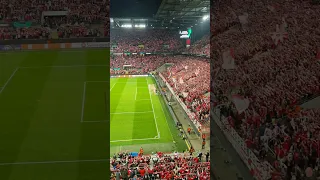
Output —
<point x="54" y="115"/>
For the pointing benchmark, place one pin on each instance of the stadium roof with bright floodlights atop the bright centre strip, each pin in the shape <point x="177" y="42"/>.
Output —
<point x="172" y="14"/>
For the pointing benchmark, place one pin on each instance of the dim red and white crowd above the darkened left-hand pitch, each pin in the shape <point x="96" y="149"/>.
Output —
<point x="78" y="22"/>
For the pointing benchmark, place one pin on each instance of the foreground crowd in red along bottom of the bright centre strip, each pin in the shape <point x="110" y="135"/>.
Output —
<point x="160" y="166"/>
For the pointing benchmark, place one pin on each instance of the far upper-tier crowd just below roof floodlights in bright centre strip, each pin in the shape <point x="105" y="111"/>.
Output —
<point x="144" y="40"/>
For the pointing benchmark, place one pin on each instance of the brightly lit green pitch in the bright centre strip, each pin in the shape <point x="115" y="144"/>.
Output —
<point x="139" y="118"/>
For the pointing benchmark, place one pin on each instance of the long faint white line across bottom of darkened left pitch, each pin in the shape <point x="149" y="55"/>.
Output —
<point x="53" y="162"/>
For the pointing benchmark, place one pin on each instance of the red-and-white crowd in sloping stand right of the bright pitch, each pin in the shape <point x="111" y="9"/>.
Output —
<point x="190" y="79"/>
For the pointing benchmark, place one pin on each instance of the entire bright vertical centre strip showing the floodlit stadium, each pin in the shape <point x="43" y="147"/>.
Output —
<point x="159" y="89"/>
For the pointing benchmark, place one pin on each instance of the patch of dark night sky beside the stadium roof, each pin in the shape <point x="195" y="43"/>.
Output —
<point x="134" y="8"/>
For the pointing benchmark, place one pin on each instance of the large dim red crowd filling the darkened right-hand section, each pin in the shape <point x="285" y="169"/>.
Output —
<point x="272" y="49"/>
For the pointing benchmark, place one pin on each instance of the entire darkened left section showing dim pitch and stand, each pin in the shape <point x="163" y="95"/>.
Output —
<point x="50" y="59"/>
